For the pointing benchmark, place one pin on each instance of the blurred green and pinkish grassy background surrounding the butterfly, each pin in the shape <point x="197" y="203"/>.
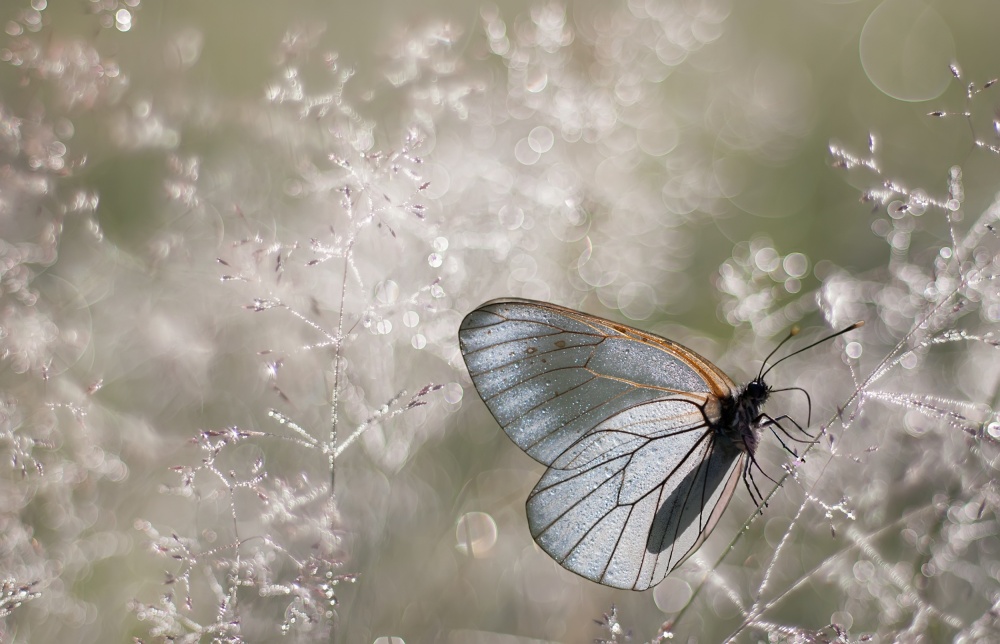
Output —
<point x="237" y="240"/>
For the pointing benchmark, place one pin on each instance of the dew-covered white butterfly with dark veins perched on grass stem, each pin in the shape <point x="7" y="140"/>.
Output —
<point x="645" y="440"/>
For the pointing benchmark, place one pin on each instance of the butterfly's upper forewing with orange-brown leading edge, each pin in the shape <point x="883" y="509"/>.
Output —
<point x="550" y="375"/>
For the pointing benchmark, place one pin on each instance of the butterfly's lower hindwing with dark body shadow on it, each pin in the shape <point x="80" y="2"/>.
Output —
<point x="632" y="500"/>
